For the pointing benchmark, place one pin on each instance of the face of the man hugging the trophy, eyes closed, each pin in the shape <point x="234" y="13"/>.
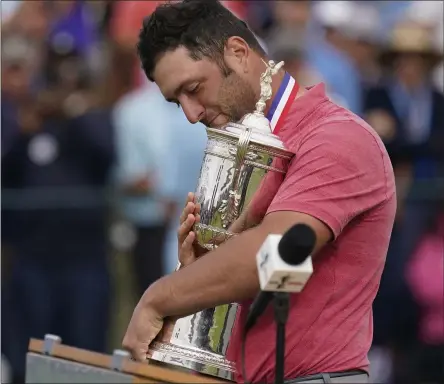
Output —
<point x="206" y="92"/>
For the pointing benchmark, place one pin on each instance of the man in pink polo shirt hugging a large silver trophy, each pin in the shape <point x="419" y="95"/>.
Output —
<point x="340" y="184"/>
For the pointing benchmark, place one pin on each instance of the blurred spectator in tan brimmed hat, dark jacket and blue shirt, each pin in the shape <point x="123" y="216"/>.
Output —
<point x="405" y="111"/>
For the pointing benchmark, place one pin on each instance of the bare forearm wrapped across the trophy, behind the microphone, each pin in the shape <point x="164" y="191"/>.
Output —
<point x="227" y="274"/>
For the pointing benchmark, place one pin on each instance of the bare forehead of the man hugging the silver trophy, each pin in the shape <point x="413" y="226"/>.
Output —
<point x="176" y="69"/>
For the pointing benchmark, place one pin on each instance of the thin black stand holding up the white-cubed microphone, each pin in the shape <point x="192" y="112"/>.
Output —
<point x="281" y="308"/>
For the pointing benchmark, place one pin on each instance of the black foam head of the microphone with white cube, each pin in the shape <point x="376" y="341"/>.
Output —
<point x="297" y="244"/>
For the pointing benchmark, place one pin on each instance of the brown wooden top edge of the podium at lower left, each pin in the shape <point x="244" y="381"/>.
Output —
<point x="142" y="373"/>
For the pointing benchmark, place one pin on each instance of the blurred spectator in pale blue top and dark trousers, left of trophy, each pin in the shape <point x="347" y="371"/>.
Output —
<point x="142" y="148"/>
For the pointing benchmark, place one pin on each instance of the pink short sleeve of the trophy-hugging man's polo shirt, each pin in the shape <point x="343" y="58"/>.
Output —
<point x="339" y="172"/>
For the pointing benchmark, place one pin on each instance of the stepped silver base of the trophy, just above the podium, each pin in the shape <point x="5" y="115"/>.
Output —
<point x="193" y="359"/>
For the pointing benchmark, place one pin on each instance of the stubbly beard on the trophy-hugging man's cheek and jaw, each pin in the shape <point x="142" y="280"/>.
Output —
<point x="236" y="96"/>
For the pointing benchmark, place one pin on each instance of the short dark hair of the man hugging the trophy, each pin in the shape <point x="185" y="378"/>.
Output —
<point x="201" y="26"/>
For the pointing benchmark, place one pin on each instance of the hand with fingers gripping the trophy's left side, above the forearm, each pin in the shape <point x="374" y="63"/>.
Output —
<point x="189" y="249"/>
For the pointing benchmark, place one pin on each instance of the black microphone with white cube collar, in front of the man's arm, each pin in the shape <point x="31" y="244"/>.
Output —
<point x="284" y="265"/>
